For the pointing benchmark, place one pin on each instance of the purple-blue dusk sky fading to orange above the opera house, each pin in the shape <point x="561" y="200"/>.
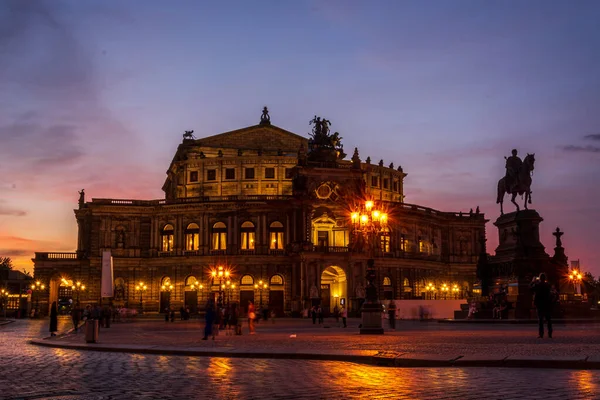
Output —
<point x="96" y="95"/>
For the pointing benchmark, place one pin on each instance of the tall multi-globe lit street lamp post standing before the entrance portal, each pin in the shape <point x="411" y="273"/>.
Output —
<point x="369" y="222"/>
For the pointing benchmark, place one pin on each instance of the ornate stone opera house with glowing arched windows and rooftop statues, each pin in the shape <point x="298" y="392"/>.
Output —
<point x="273" y="209"/>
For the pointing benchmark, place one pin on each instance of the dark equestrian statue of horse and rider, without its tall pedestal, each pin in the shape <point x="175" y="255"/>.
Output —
<point x="517" y="179"/>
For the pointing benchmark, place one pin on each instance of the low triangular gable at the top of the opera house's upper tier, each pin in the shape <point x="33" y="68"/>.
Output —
<point x="268" y="137"/>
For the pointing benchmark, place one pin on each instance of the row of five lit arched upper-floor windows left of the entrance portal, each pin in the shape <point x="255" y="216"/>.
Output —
<point x="219" y="236"/>
